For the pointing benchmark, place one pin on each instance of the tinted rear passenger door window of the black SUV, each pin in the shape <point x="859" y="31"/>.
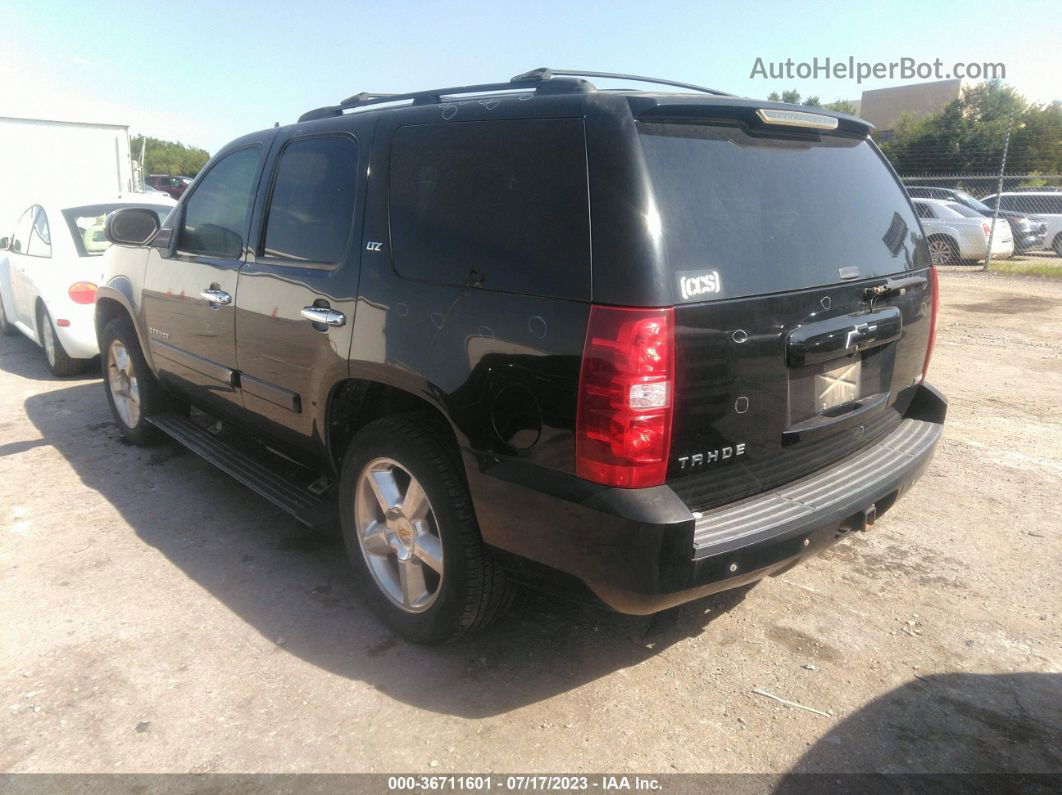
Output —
<point x="312" y="208"/>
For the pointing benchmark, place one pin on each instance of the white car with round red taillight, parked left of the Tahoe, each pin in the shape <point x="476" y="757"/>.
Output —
<point x="49" y="271"/>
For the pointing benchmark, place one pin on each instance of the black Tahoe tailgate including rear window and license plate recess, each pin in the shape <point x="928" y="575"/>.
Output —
<point x="802" y="302"/>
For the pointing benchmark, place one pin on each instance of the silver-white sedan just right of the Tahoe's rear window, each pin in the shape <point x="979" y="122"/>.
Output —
<point x="957" y="233"/>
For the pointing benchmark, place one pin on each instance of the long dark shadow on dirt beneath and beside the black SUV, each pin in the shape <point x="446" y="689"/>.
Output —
<point x="297" y="587"/>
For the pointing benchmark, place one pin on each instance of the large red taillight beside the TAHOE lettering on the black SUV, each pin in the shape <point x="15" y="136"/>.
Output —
<point x="626" y="391"/>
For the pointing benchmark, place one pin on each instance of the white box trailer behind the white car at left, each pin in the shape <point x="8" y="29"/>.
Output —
<point x="44" y="158"/>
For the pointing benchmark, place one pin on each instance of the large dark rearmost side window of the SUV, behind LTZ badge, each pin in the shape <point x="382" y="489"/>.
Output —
<point x="501" y="205"/>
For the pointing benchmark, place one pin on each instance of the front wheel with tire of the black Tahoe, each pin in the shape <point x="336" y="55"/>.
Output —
<point x="133" y="392"/>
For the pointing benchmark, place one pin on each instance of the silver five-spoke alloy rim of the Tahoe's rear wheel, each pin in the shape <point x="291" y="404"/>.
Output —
<point x="399" y="535"/>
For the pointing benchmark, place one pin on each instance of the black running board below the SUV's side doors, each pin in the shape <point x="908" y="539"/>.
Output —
<point x="309" y="503"/>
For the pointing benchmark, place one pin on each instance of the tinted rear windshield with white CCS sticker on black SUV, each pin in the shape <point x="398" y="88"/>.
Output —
<point x="744" y="215"/>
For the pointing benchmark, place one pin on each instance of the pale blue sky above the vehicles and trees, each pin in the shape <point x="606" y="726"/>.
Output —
<point x="207" y="73"/>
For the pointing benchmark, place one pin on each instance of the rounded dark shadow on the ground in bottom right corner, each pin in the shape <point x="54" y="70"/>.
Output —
<point x="943" y="724"/>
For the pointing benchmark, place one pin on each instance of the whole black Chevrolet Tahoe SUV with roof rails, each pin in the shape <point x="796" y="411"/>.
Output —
<point x="638" y="347"/>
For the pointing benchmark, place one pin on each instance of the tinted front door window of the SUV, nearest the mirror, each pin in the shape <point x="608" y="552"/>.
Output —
<point x="216" y="217"/>
